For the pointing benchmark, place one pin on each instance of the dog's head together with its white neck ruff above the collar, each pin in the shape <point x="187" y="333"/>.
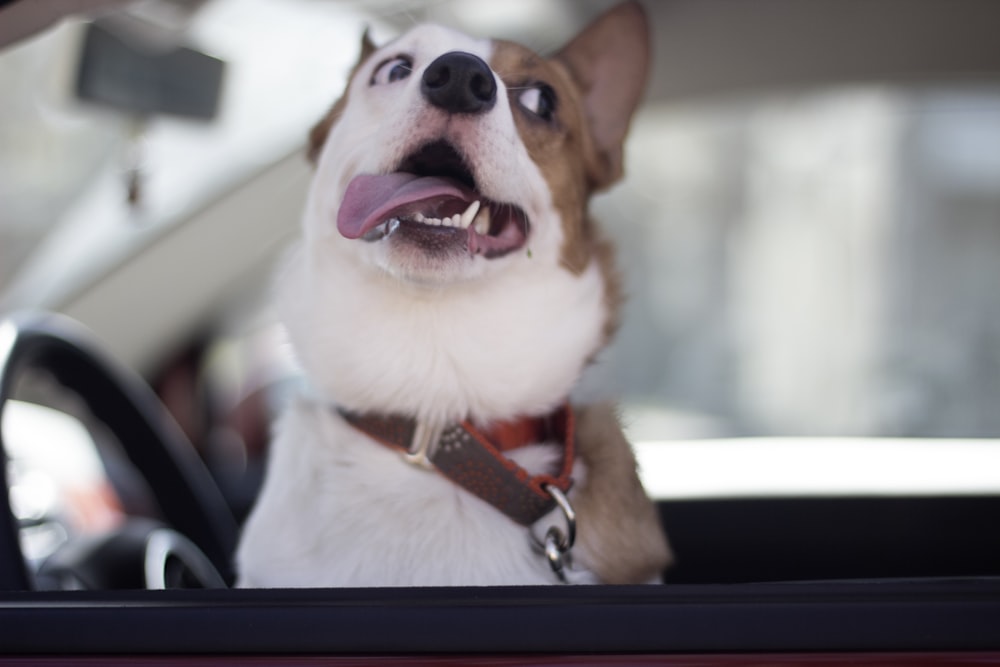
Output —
<point x="455" y="172"/>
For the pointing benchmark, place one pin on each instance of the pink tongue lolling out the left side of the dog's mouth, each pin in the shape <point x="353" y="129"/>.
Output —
<point x="369" y="200"/>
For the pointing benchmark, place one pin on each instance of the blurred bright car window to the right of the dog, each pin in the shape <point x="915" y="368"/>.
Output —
<point x="818" y="262"/>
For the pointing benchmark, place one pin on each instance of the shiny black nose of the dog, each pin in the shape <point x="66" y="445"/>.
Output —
<point x="459" y="82"/>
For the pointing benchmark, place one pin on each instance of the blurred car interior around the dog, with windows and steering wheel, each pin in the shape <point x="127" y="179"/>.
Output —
<point x="808" y="226"/>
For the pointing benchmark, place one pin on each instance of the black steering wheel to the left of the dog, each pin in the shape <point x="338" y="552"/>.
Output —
<point x="193" y="547"/>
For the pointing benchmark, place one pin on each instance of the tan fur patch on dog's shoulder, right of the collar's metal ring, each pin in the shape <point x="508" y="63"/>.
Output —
<point x="618" y="525"/>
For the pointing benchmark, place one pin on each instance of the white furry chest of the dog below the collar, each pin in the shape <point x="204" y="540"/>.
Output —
<point x="358" y="515"/>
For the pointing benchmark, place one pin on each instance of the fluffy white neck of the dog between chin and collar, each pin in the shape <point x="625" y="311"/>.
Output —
<point x="508" y="346"/>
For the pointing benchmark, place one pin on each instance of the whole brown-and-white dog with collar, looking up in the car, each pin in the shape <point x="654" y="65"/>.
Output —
<point x="449" y="290"/>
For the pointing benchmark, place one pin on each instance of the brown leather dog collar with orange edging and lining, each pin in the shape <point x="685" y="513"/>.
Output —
<point x="467" y="457"/>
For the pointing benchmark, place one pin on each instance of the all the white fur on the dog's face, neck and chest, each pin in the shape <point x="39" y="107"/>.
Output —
<point x="381" y="330"/>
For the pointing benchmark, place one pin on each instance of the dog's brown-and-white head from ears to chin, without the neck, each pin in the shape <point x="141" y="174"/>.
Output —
<point x="447" y="154"/>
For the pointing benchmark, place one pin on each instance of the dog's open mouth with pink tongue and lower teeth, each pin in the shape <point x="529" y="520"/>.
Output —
<point x="432" y="200"/>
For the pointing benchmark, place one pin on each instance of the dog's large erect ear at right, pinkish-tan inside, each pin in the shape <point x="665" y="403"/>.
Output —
<point x="610" y="62"/>
